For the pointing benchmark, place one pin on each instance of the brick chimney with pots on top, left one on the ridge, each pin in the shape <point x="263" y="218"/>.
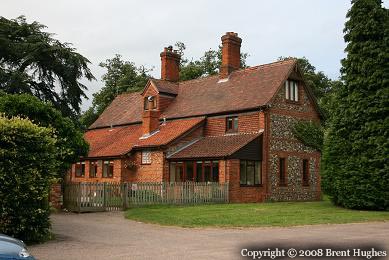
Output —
<point x="170" y="64"/>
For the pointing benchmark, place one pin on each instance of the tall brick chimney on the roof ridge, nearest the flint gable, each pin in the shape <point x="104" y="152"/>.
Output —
<point x="230" y="54"/>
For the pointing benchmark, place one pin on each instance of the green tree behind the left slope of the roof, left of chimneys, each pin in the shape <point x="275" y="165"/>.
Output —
<point x="121" y="76"/>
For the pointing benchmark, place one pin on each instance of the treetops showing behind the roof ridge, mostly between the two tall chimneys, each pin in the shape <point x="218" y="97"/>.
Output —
<point x="208" y="64"/>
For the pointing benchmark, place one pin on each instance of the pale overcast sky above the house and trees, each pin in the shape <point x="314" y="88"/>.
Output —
<point x="138" y="30"/>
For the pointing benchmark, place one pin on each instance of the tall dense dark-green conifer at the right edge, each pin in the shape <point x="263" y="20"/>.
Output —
<point x="356" y="147"/>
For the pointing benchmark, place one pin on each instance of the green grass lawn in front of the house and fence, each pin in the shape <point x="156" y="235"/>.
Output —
<point x="253" y="215"/>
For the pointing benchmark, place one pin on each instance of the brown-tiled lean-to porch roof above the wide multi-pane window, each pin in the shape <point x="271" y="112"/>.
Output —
<point x="215" y="146"/>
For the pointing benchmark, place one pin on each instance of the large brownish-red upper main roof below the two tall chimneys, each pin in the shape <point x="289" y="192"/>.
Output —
<point x="245" y="89"/>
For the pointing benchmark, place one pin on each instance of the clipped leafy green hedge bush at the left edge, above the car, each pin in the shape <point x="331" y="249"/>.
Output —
<point x="27" y="167"/>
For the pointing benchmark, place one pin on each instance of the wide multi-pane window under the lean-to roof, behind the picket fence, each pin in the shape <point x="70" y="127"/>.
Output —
<point x="197" y="171"/>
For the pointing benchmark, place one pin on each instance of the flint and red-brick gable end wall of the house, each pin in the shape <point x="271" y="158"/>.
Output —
<point x="282" y="144"/>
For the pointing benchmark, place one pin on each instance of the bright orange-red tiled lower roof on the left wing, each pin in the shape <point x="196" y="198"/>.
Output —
<point x="116" y="141"/>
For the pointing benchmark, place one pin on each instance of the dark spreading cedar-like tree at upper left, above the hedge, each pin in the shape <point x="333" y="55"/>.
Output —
<point x="33" y="62"/>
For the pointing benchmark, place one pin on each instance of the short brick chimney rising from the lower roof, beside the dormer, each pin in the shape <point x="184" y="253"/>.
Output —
<point x="150" y="117"/>
